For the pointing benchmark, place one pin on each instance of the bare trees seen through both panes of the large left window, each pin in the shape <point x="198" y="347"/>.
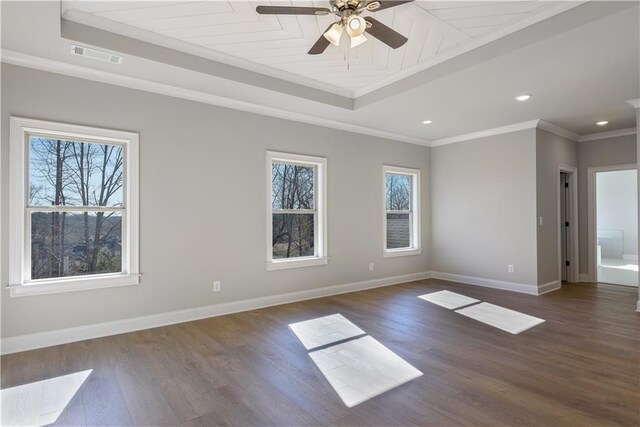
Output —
<point x="75" y="207"/>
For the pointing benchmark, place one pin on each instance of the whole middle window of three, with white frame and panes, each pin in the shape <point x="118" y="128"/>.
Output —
<point x="296" y="207"/>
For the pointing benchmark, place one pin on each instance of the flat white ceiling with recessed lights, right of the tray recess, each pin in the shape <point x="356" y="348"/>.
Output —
<point x="577" y="78"/>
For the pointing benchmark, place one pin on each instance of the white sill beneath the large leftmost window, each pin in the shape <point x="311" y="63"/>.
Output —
<point x="42" y="287"/>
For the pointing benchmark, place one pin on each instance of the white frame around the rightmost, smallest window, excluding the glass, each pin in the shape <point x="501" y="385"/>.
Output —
<point x="416" y="246"/>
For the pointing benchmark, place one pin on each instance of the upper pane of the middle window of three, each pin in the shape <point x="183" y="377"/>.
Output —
<point x="292" y="186"/>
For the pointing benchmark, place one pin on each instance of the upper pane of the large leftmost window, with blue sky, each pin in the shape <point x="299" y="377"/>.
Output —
<point x="74" y="173"/>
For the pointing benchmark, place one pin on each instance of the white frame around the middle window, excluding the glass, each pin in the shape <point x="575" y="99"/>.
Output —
<point x="320" y="208"/>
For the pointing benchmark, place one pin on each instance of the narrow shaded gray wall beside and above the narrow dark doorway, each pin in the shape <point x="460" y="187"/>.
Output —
<point x="551" y="152"/>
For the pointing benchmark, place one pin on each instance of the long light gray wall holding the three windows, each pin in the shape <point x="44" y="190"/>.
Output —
<point x="202" y="201"/>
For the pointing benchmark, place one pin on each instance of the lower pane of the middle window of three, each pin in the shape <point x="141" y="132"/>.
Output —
<point x="293" y="235"/>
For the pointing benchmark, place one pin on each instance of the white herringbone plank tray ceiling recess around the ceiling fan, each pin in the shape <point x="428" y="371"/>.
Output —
<point x="436" y="31"/>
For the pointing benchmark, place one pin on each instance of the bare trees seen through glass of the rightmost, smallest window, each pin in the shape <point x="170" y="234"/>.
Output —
<point x="398" y="210"/>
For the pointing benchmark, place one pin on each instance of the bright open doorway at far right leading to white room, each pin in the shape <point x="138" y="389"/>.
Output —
<point x="615" y="225"/>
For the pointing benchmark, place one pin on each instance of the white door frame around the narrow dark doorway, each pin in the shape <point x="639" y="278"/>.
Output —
<point x="573" y="275"/>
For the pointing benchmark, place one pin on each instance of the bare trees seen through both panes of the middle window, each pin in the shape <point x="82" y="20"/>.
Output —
<point x="293" y="210"/>
